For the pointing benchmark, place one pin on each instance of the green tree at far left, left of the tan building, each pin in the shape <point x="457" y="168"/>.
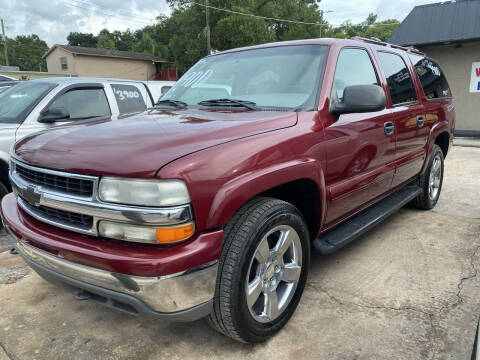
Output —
<point x="26" y="52"/>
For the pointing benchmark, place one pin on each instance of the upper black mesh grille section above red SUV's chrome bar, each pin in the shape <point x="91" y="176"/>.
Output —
<point x="64" y="184"/>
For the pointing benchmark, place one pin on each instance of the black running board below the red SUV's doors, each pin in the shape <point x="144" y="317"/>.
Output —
<point x="352" y="228"/>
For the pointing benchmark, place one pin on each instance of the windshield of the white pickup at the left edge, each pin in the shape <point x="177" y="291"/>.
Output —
<point x="17" y="101"/>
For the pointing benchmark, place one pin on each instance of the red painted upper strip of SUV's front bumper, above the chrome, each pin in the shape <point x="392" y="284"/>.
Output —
<point x="115" y="256"/>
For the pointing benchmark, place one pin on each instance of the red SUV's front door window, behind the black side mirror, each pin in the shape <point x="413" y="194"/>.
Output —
<point x="354" y="67"/>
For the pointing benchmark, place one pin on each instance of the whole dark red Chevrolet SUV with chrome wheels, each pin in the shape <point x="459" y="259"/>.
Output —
<point x="208" y="204"/>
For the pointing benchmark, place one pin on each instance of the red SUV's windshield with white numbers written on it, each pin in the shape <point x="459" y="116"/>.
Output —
<point x="277" y="77"/>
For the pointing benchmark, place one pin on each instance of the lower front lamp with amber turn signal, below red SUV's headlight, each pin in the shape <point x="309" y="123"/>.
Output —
<point x="145" y="234"/>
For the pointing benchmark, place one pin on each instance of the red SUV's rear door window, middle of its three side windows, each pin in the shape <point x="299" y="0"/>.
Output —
<point x="398" y="78"/>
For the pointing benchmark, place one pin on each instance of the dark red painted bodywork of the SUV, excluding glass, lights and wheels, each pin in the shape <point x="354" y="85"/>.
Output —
<point x="226" y="158"/>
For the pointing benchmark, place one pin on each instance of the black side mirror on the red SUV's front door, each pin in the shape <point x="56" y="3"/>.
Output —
<point x="360" y="98"/>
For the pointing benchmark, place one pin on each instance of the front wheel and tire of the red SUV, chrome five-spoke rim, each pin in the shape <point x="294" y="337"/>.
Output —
<point x="262" y="270"/>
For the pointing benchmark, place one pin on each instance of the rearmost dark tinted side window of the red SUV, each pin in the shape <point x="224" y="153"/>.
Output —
<point x="434" y="83"/>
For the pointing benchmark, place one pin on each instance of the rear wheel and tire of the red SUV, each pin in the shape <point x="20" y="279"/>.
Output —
<point x="431" y="181"/>
